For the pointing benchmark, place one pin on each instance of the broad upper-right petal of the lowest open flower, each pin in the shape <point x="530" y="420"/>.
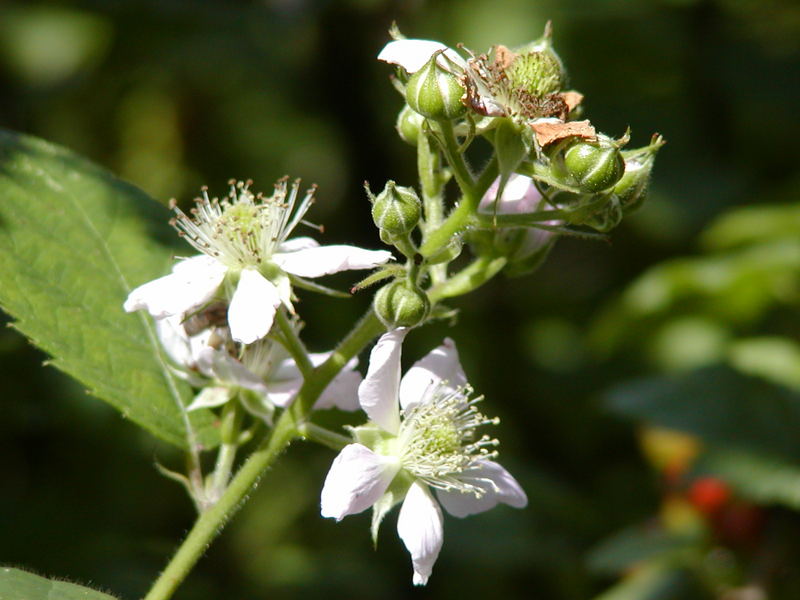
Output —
<point x="440" y="364"/>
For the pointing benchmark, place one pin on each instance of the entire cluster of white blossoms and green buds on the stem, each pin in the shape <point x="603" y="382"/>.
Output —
<point x="227" y="320"/>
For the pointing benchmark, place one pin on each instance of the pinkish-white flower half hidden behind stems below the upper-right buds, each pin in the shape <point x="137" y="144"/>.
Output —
<point x="520" y="196"/>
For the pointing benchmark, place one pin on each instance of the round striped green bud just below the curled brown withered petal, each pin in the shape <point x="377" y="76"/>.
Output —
<point x="588" y="167"/>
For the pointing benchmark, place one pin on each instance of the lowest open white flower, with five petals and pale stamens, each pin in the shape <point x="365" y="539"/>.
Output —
<point x="423" y="439"/>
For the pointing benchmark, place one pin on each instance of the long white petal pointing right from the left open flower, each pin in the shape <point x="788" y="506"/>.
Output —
<point x="324" y="260"/>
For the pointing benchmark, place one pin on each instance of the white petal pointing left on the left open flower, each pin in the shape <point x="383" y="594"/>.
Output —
<point x="192" y="282"/>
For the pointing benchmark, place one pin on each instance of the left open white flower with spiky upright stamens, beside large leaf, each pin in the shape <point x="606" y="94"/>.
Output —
<point x="245" y="249"/>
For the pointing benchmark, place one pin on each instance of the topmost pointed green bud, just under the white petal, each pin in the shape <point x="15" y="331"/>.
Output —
<point x="435" y="93"/>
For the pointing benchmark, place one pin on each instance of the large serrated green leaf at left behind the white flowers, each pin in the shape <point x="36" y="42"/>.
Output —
<point x="73" y="243"/>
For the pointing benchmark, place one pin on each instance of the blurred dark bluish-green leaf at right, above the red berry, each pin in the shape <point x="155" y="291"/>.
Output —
<point x="719" y="405"/>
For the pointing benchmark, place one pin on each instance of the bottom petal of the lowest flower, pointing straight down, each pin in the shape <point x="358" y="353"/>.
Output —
<point x="420" y="527"/>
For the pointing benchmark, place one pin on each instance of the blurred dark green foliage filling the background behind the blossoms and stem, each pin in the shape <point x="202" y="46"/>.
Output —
<point x="175" y="94"/>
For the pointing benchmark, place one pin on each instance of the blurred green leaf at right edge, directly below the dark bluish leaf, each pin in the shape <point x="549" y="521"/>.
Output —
<point x="762" y="478"/>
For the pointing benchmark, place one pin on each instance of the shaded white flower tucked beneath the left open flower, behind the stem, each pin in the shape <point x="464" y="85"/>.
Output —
<point x="272" y="376"/>
